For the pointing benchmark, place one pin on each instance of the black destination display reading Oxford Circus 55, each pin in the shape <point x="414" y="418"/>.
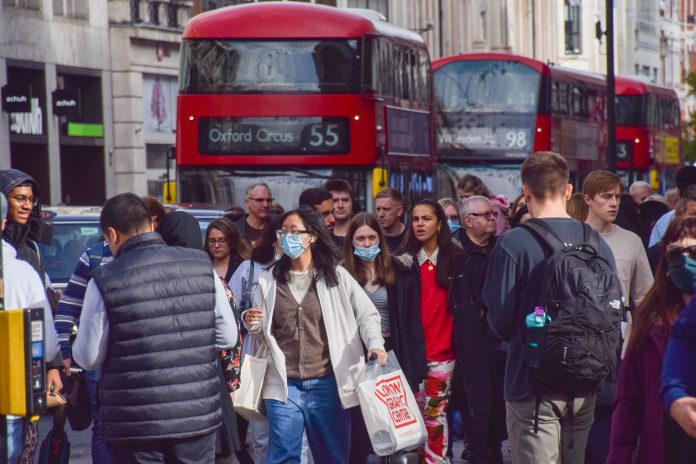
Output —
<point x="273" y="135"/>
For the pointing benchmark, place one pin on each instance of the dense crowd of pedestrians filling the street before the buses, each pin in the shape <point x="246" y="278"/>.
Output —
<point x="453" y="286"/>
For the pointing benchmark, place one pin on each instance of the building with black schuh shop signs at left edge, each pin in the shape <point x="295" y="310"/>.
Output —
<point x="56" y="85"/>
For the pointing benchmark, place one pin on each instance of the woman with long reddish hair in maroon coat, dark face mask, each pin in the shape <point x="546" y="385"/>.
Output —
<point x="638" y="418"/>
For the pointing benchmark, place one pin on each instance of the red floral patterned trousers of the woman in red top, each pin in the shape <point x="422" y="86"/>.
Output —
<point x="432" y="398"/>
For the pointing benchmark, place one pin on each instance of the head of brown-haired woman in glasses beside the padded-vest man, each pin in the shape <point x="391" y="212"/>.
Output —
<point x="225" y="246"/>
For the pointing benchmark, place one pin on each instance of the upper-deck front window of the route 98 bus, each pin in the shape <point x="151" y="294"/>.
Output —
<point x="487" y="87"/>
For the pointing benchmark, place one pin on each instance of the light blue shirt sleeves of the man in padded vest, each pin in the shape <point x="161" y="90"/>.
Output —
<point x="92" y="342"/>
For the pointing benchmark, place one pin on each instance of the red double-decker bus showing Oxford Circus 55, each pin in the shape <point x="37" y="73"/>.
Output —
<point x="292" y="94"/>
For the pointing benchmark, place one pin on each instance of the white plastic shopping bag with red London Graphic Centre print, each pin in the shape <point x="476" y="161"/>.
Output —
<point x="393" y="419"/>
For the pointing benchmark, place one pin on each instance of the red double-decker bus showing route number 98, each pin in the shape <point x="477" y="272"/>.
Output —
<point x="493" y="109"/>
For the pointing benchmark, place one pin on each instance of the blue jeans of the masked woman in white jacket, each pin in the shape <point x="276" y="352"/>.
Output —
<point x="313" y="405"/>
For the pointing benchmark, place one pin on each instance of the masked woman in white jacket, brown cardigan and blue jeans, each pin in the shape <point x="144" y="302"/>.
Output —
<point x="314" y="319"/>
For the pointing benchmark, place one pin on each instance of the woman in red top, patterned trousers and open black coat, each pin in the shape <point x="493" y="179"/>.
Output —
<point x="432" y="275"/>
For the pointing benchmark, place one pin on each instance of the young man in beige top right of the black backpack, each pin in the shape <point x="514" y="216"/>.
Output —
<point x="602" y="194"/>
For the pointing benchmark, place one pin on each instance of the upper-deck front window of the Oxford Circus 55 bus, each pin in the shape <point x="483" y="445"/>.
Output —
<point x="271" y="66"/>
